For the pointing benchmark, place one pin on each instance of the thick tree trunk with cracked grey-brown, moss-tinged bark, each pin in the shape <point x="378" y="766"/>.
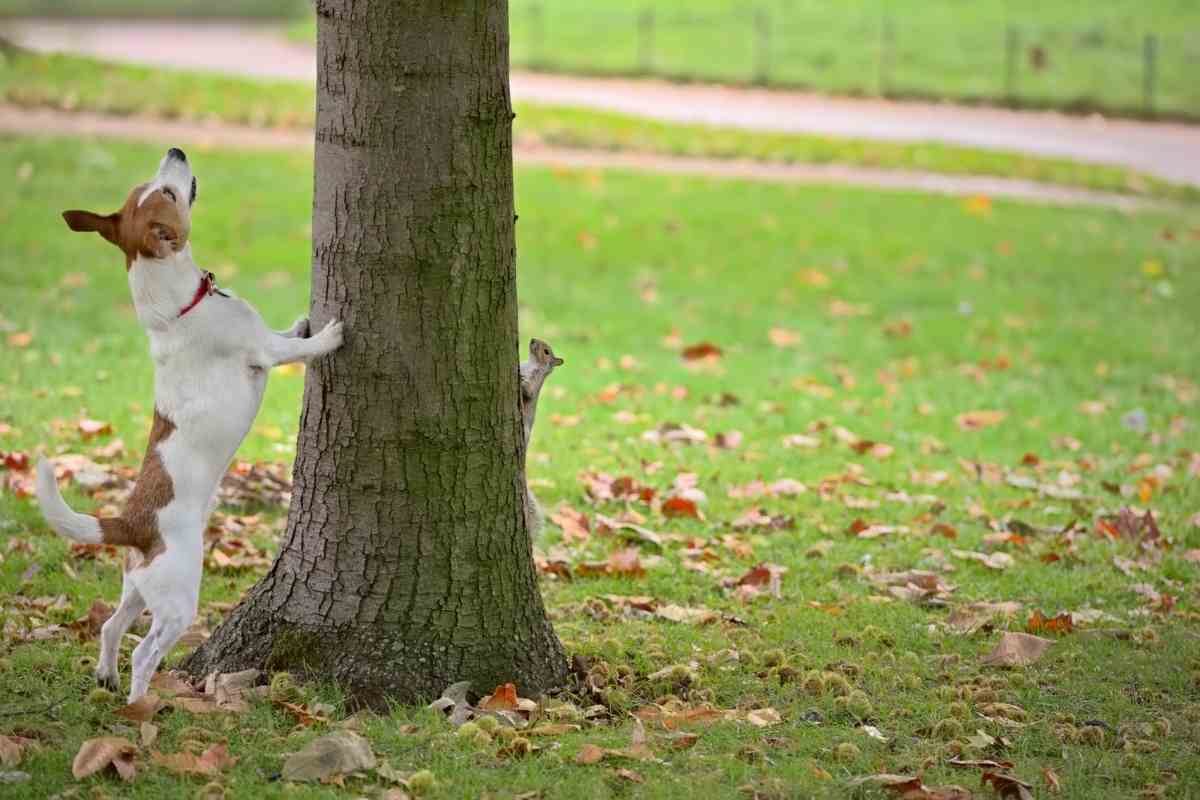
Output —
<point x="406" y="564"/>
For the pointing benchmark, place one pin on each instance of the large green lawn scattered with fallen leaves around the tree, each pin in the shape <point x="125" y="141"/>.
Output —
<point x="903" y="311"/>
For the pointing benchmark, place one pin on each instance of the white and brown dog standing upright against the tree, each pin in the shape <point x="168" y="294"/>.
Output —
<point x="212" y="354"/>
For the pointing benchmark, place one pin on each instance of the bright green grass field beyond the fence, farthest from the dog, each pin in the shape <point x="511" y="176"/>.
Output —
<point x="1090" y="59"/>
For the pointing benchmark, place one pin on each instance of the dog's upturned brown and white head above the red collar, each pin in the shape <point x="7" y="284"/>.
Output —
<point x="157" y="218"/>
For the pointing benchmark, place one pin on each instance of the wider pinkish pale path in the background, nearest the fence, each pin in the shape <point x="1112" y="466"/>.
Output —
<point x="1168" y="151"/>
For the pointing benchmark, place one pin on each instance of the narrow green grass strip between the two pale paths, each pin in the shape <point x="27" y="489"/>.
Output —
<point x="73" y="83"/>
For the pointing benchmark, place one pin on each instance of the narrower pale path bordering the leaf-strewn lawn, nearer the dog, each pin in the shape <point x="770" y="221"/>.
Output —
<point x="209" y="135"/>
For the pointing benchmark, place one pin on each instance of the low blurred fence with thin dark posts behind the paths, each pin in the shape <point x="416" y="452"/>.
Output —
<point x="1105" y="69"/>
